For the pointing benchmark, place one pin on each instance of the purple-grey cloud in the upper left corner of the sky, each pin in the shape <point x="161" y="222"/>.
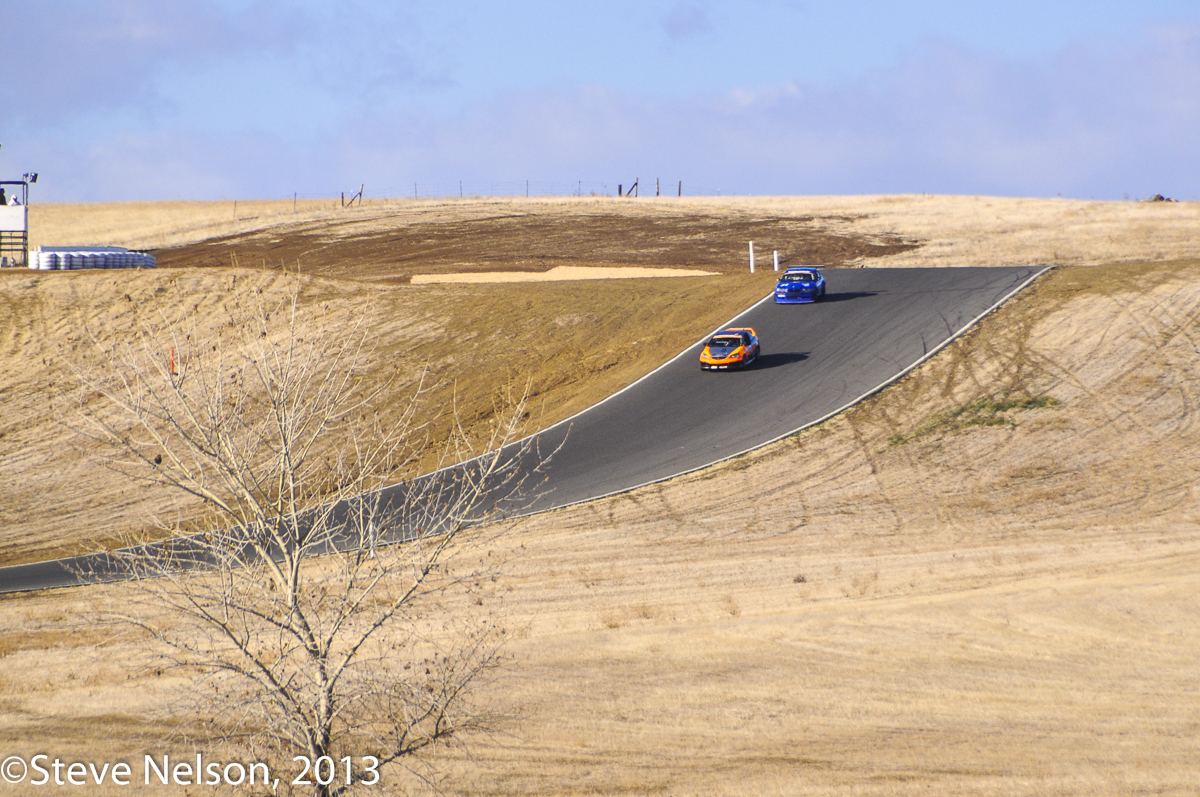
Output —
<point x="80" y="58"/>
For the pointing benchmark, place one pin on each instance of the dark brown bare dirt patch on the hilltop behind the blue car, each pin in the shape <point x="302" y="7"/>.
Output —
<point x="533" y="239"/>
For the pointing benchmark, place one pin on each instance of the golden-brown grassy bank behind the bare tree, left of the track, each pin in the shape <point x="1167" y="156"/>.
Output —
<point x="466" y="344"/>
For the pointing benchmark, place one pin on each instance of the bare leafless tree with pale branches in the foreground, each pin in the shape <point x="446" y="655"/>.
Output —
<point x="314" y="607"/>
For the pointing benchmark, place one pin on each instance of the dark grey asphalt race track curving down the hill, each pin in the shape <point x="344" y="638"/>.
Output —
<point x="873" y="326"/>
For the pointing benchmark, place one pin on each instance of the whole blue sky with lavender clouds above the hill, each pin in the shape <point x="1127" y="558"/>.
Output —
<point x="115" y="100"/>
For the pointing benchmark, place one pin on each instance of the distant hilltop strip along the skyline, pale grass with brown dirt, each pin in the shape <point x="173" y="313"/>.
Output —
<point x="397" y="238"/>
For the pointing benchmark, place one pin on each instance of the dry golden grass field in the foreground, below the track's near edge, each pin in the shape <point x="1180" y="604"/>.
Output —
<point x="997" y="610"/>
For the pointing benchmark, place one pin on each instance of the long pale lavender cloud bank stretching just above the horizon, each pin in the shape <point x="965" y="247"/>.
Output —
<point x="1088" y="122"/>
